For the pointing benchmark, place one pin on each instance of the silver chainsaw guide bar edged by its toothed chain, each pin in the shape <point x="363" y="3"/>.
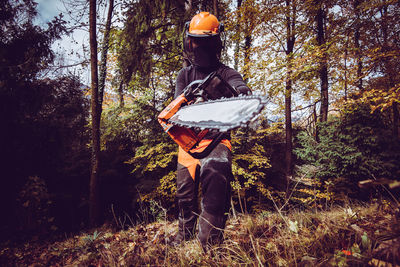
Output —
<point x="220" y="115"/>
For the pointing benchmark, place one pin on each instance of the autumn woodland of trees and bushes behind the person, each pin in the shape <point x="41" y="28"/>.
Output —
<point x="75" y="156"/>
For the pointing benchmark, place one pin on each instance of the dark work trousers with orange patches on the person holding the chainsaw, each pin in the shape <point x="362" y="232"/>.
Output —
<point x="213" y="175"/>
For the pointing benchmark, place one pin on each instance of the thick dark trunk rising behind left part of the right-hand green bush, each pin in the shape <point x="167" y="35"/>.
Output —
<point x="323" y="62"/>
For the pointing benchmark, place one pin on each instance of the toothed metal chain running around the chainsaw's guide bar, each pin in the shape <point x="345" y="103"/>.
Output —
<point x="223" y="127"/>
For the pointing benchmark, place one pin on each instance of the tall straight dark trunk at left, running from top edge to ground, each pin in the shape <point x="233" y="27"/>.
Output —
<point x="94" y="177"/>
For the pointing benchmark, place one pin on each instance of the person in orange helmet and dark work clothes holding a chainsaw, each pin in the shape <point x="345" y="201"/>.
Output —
<point x="203" y="46"/>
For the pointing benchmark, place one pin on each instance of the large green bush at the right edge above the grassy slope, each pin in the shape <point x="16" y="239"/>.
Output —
<point x="354" y="147"/>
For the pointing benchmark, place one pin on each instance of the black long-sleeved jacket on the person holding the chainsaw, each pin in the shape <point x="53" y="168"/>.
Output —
<point x="191" y="73"/>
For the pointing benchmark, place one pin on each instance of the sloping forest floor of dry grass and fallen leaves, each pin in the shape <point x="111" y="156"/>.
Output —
<point x="357" y="235"/>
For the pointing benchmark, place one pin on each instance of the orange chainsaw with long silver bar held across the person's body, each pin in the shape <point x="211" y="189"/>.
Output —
<point x="208" y="105"/>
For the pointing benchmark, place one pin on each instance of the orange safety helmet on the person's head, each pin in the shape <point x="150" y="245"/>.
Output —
<point x="204" y="24"/>
